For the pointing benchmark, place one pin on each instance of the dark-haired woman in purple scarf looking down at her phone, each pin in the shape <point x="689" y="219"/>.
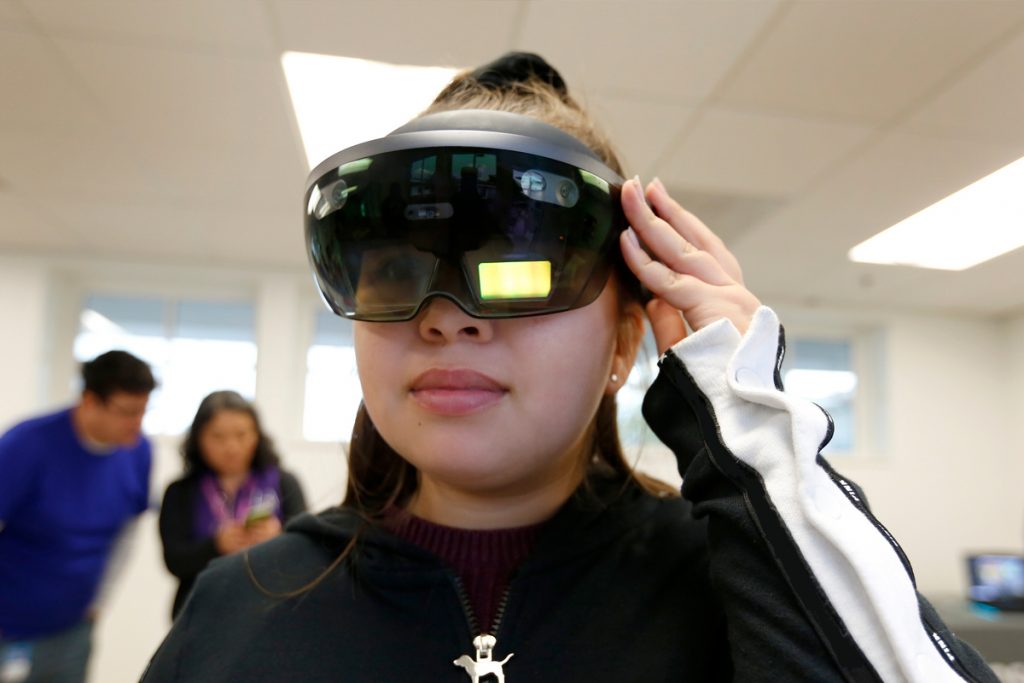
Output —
<point x="233" y="496"/>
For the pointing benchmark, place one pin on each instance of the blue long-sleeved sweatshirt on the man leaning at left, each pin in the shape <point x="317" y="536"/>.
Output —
<point x="62" y="508"/>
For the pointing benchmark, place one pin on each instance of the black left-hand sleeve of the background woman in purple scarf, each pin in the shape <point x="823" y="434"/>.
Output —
<point x="185" y="557"/>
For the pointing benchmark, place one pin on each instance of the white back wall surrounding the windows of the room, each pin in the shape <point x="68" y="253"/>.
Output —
<point x="946" y="483"/>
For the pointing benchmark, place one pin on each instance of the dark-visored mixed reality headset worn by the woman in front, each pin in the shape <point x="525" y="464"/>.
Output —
<point x="502" y="215"/>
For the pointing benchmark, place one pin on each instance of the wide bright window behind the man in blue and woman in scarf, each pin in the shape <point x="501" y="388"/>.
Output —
<point x="194" y="348"/>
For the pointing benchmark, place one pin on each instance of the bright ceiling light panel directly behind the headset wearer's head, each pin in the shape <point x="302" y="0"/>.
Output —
<point x="340" y="102"/>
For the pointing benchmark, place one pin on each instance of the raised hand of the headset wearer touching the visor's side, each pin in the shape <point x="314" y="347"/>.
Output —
<point x="687" y="267"/>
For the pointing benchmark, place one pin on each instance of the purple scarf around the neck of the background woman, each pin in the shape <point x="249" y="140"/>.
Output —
<point x="260" y="493"/>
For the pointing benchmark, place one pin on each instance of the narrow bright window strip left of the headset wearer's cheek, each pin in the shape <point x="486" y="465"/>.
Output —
<point x="333" y="393"/>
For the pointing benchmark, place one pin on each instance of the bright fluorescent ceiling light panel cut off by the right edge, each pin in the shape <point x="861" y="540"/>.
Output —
<point x="972" y="226"/>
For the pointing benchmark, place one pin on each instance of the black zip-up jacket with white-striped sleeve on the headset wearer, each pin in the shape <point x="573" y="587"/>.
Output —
<point x="742" y="581"/>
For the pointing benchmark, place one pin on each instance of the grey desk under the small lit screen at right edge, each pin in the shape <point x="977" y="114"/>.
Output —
<point x="998" y="636"/>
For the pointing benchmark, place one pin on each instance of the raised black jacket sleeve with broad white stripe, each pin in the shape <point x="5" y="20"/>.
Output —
<point x="814" y="586"/>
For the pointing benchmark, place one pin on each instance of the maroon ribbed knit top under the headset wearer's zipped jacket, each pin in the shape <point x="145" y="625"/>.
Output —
<point x="484" y="560"/>
